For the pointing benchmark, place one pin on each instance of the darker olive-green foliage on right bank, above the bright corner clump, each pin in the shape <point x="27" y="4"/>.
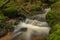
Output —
<point x="53" y="16"/>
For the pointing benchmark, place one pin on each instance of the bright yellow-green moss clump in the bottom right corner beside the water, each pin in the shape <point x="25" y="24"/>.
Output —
<point x="55" y="33"/>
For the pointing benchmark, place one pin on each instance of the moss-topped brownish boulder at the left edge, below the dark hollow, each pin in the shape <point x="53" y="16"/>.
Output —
<point x="3" y="25"/>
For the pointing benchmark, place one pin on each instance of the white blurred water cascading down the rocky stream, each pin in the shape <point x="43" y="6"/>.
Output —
<point x="34" y="25"/>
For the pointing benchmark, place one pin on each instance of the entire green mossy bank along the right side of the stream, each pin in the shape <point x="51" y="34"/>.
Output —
<point x="53" y="18"/>
